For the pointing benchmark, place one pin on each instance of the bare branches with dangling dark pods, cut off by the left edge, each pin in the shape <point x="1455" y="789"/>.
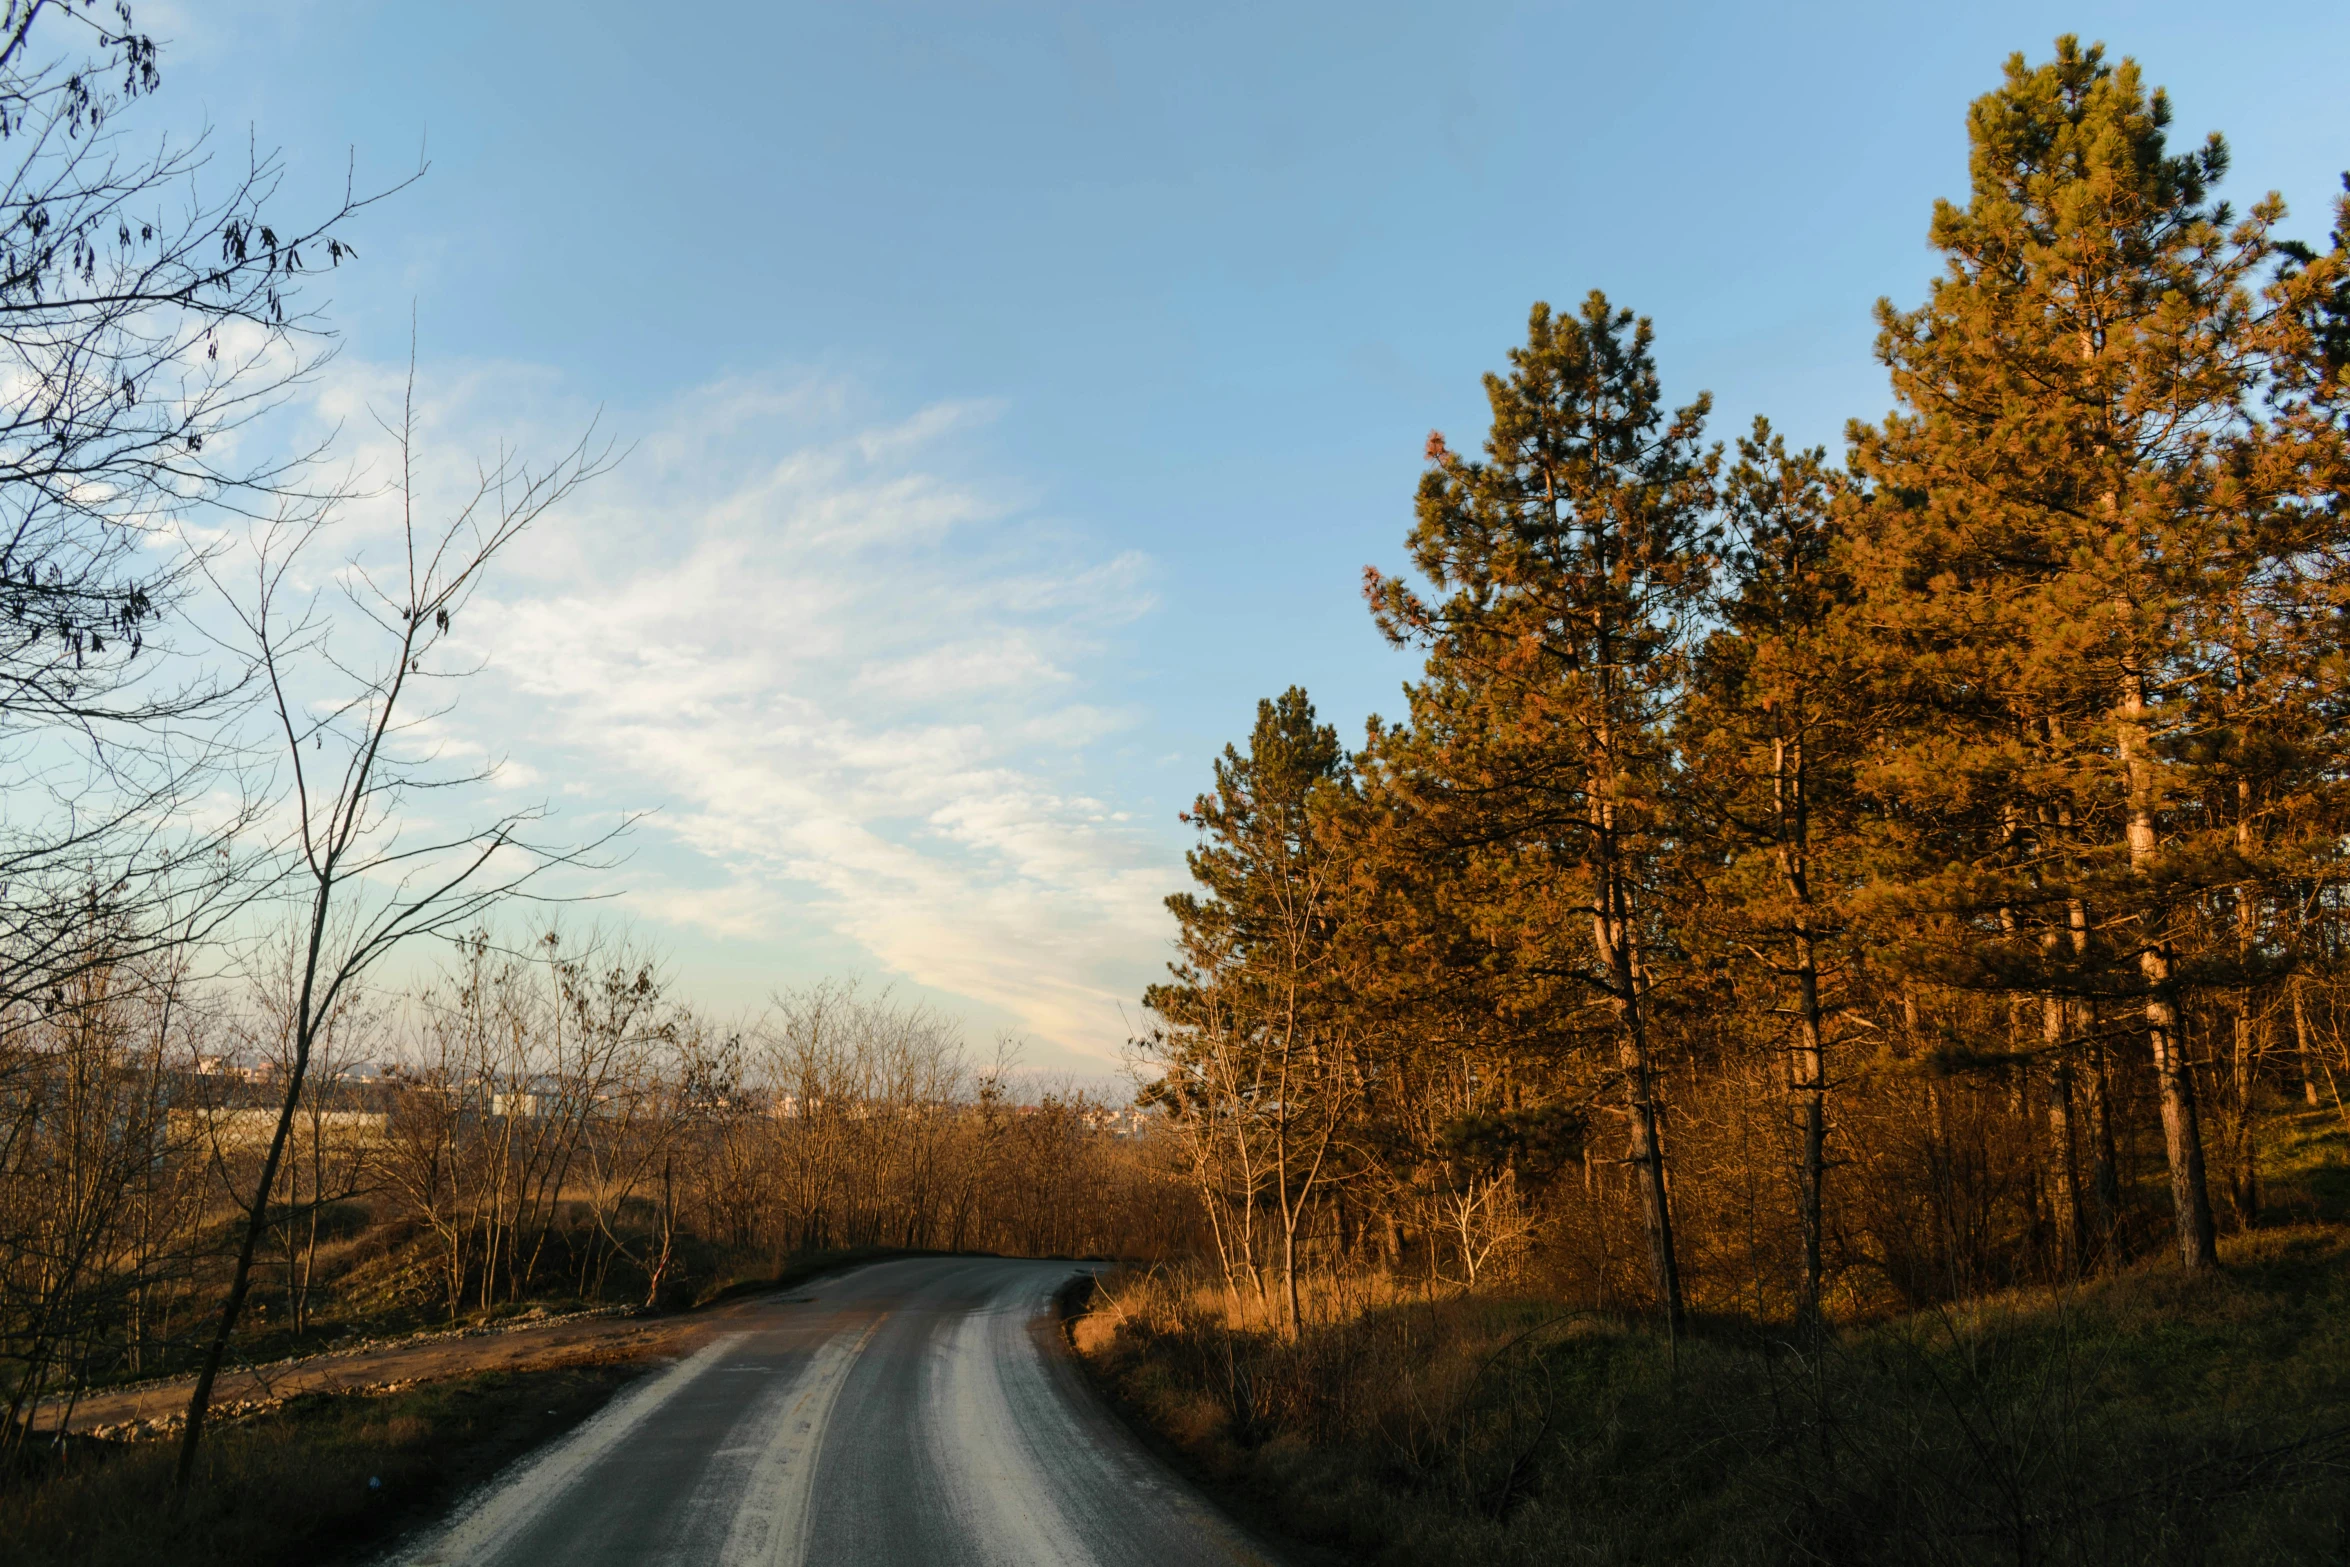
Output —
<point x="149" y="309"/>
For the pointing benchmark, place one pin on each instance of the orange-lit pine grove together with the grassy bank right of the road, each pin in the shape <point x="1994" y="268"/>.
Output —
<point x="1820" y="1035"/>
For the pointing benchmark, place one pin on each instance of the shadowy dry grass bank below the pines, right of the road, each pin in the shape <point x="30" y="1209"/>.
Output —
<point x="2137" y="1420"/>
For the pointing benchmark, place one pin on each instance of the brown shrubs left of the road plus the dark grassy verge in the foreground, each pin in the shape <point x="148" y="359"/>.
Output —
<point x="476" y="1192"/>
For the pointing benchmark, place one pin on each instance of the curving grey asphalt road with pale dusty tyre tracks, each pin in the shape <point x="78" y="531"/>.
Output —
<point x="901" y="1415"/>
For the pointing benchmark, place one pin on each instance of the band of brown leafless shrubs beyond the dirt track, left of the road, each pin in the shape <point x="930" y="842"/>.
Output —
<point x="556" y="1138"/>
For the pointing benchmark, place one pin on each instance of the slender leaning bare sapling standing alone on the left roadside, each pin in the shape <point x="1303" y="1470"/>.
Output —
<point x="361" y="873"/>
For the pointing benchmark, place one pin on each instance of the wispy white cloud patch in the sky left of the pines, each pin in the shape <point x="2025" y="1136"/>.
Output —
<point x="854" y="682"/>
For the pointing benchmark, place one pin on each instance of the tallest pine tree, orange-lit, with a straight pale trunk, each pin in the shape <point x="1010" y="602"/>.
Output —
<point x="2055" y="499"/>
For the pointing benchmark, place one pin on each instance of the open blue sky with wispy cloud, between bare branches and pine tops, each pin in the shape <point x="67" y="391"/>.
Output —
<point x="1016" y="394"/>
